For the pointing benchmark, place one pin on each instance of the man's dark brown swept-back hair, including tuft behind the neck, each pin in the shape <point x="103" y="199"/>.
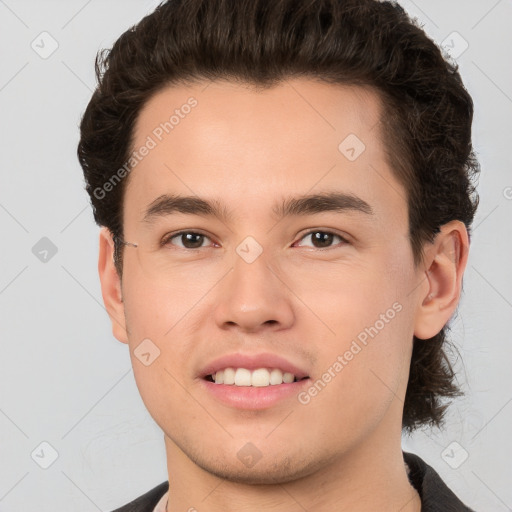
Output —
<point x="426" y="125"/>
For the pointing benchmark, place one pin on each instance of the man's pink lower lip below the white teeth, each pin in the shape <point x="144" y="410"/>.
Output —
<point x="255" y="398"/>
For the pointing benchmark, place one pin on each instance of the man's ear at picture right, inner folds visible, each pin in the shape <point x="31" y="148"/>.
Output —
<point x="445" y="261"/>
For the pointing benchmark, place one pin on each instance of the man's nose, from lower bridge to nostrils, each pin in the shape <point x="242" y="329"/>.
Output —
<point x="254" y="297"/>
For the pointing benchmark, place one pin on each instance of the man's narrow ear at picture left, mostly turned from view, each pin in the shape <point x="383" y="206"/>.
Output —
<point x="111" y="286"/>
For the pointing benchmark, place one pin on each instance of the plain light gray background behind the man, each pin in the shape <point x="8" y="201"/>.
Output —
<point x="66" y="382"/>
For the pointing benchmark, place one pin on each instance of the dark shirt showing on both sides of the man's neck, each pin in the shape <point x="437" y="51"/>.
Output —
<point x="435" y="495"/>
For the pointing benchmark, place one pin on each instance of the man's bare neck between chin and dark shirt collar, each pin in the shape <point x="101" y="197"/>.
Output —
<point x="370" y="477"/>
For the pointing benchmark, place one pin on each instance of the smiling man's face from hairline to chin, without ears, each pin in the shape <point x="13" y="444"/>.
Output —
<point x="324" y="292"/>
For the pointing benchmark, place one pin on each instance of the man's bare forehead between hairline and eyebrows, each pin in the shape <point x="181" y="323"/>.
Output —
<point x="250" y="146"/>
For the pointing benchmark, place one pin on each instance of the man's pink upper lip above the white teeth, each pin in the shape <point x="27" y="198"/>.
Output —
<point x="252" y="362"/>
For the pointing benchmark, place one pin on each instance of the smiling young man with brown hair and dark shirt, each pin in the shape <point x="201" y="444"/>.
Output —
<point x="285" y="194"/>
